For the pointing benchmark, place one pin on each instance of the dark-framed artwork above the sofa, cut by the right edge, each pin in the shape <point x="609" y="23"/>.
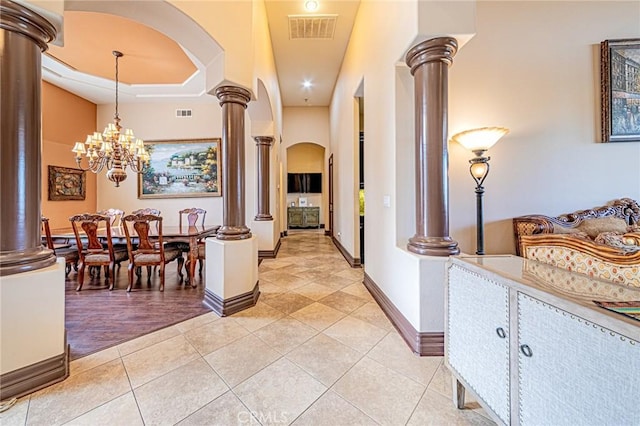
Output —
<point x="620" y="90"/>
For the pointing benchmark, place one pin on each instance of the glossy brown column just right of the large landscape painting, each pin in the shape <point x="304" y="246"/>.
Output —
<point x="234" y="101"/>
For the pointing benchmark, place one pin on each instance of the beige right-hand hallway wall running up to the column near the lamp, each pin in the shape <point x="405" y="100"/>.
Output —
<point x="370" y="62"/>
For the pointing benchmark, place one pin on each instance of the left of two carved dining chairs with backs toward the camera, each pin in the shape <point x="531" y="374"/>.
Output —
<point x="86" y="226"/>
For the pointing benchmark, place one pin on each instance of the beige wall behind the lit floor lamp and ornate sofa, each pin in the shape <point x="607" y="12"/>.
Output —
<point x="527" y="71"/>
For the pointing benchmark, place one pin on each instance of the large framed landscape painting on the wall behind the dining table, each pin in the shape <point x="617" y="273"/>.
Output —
<point x="181" y="168"/>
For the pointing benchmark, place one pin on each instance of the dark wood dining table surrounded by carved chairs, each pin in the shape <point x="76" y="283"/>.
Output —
<point x="170" y="233"/>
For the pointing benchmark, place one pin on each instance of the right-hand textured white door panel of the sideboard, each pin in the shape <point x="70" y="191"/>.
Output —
<point x="574" y="371"/>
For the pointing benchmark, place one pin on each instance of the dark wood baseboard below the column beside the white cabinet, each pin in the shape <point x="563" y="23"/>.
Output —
<point x="421" y="343"/>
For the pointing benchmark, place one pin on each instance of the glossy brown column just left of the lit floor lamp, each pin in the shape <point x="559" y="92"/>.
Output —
<point x="429" y="62"/>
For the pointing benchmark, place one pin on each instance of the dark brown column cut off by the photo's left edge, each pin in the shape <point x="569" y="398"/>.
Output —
<point x="23" y="37"/>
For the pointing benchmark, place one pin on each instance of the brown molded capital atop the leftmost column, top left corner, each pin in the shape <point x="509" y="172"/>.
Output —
<point x="19" y="19"/>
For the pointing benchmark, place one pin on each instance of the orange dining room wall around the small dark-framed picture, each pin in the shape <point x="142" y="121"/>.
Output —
<point x="66" y="118"/>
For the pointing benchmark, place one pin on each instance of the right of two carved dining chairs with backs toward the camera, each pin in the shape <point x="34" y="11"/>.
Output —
<point x="150" y="250"/>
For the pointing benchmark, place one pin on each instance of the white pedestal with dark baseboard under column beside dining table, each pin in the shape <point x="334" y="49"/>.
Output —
<point x="232" y="274"/>
